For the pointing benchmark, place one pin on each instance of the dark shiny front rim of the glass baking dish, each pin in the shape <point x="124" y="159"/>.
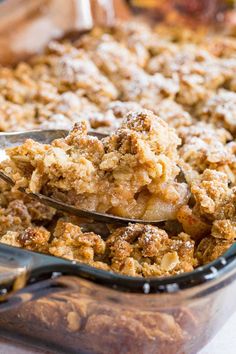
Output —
<point x="46" y="267"/>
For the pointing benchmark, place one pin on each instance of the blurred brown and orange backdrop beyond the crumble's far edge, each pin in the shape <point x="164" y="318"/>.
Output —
<point x="27" y="26"/>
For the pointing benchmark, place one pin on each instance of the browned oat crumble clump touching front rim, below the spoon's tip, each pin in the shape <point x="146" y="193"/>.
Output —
<point x="145" y="250"/>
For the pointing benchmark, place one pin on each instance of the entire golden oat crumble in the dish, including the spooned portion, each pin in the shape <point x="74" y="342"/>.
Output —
<point x="168" y="105"/>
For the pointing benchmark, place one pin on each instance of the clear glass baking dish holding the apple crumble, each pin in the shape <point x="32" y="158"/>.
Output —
<point x="74" y="308"/>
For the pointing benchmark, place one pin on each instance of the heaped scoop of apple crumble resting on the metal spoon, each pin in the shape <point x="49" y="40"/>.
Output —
<point x="130" y="173"/>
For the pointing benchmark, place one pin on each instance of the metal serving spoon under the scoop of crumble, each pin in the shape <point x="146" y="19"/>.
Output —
<point x="46" y="137"/>
